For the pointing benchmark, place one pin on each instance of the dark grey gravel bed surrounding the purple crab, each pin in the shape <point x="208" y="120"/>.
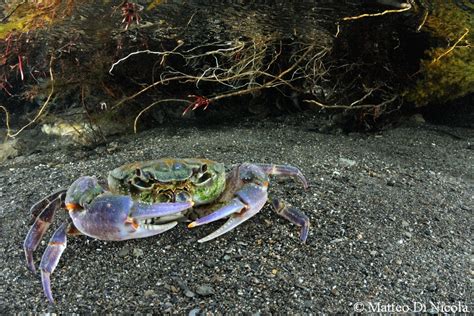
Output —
<point x="391" y="217"/>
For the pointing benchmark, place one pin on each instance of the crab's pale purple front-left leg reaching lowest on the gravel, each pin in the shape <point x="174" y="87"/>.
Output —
<point x="51" y="257"/>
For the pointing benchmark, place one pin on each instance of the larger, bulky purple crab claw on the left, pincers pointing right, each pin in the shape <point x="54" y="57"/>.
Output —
<point x="118" y="217"/>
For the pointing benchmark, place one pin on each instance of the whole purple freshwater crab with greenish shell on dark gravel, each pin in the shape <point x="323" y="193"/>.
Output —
<point x="148" y="198"/>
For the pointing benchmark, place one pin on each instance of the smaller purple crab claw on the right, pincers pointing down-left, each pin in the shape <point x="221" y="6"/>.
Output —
<point x="248" y="202"/>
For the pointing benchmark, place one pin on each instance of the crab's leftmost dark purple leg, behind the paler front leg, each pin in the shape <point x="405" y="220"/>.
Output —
<point x="41" y="224"/>
